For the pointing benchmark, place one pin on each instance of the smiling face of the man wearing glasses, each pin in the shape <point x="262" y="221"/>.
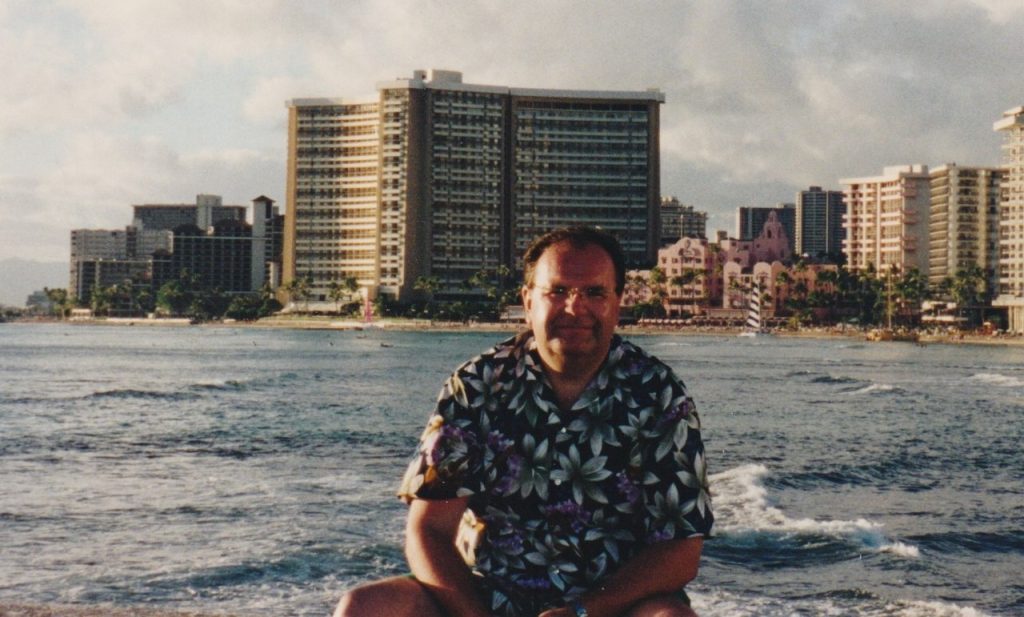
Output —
<point x="573" y="307"/>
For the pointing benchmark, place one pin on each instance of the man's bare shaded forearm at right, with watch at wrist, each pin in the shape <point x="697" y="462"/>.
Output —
<point x="660" y="568"/>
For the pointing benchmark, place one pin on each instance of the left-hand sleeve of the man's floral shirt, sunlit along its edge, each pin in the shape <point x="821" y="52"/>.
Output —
<point x="449" y="459"/>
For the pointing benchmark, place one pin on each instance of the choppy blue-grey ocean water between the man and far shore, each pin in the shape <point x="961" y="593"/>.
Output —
<point x="252" y="471"/>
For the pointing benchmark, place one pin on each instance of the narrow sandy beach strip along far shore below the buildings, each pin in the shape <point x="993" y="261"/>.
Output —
<point x="399" y="325"/>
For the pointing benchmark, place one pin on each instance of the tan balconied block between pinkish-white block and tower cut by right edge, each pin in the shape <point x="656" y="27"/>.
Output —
<point x="964" y="225"/>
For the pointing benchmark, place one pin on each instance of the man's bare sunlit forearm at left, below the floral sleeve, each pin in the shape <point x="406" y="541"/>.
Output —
<point x="431" y="534"/>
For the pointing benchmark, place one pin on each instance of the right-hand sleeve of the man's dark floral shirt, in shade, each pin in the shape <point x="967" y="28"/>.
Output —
<point x="676" y="495"/>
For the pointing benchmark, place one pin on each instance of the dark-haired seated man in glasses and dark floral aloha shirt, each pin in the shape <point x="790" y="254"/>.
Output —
<point x="568" y="462"/>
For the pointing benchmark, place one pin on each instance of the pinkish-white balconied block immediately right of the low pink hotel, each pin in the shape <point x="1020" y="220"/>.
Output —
<point x="886" y="219"/>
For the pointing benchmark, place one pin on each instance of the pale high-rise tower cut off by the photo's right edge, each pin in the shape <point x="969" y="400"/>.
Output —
<point x="1011" y="293"/>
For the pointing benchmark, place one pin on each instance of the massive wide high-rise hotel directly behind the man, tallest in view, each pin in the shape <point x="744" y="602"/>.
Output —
<point x="436" y="178"/>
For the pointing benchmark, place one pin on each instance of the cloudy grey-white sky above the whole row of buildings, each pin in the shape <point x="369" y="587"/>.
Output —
<point x="105" y="104"/>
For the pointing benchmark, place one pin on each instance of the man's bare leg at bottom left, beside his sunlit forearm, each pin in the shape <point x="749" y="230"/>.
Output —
<point x="399" y="597"/>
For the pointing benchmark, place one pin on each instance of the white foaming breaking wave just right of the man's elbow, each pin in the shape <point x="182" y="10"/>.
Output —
<point x="742" y="507"/>
